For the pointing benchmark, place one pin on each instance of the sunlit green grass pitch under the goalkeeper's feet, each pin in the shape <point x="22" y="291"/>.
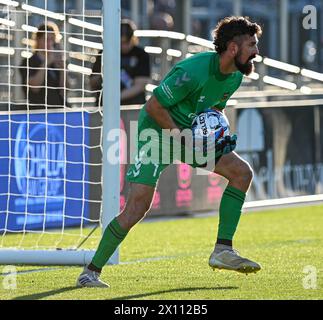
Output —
<point x="169" y="260"/>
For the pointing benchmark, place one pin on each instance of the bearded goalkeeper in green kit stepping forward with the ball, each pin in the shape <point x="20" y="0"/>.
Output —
<point x="202" y="82"/>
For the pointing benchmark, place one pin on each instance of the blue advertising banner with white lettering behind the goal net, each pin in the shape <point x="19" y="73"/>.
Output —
<point x="44" y="169"/>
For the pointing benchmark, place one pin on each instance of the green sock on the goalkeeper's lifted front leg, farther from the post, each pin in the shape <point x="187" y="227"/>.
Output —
<point x="230" y="212"/>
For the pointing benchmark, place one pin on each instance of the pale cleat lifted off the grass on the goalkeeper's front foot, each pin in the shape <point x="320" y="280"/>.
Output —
<point x="231" y="260"/>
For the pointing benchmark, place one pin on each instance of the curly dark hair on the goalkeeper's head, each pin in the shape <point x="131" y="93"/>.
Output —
<point x="230" y="27"/>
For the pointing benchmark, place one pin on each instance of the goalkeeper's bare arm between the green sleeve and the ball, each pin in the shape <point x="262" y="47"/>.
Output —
<point x="160" y="114"/>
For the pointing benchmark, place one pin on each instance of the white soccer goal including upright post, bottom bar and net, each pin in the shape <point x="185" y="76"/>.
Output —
<point x="35" y="253"/>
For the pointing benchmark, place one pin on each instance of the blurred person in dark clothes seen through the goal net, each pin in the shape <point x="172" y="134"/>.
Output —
<point x="43" y="73"/>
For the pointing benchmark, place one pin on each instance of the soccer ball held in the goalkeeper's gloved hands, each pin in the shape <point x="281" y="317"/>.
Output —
<point x="210" y="126"/>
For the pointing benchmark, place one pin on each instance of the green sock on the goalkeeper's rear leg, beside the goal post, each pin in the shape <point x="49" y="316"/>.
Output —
<point x="112" y="237"/>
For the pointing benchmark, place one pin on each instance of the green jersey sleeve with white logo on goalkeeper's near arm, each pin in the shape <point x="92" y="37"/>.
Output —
<point x="175" y="87"/>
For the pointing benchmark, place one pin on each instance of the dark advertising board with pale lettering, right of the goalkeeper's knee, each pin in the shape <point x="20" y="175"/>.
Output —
<point x="284" y="147"/>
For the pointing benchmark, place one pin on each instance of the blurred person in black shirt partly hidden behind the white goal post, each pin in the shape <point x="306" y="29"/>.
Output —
<point x="135" y="68"/>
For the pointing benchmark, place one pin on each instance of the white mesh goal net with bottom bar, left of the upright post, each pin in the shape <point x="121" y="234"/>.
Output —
<point x="51" y="146"/>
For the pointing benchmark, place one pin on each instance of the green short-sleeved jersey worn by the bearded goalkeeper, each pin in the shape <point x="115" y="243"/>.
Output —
<point x="193" y="86"/>
